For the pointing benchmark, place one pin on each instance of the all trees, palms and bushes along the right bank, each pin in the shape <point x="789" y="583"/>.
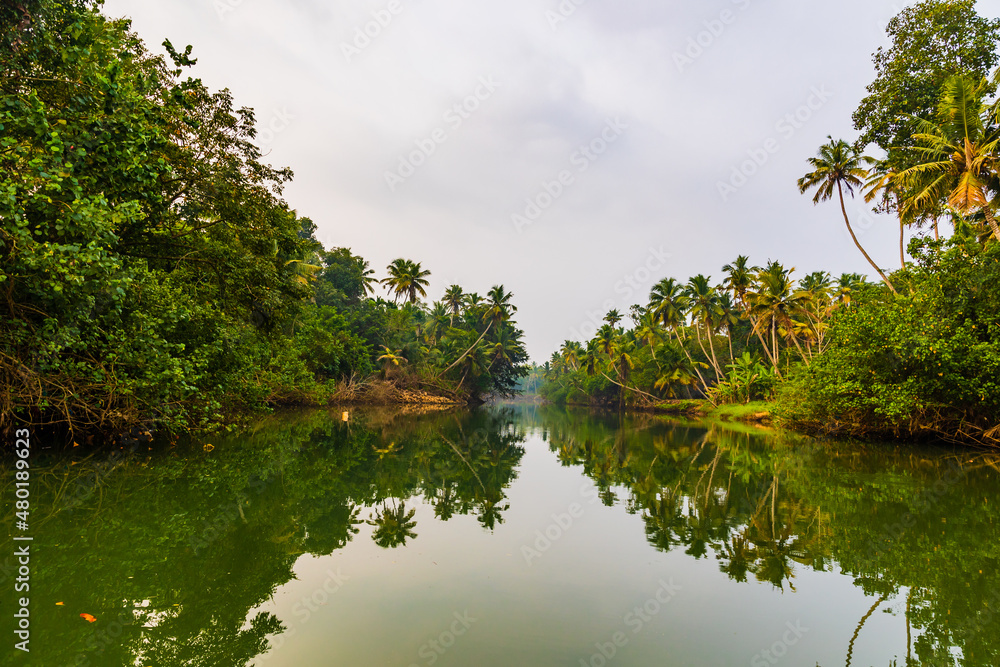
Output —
<point x="914" y="355"/>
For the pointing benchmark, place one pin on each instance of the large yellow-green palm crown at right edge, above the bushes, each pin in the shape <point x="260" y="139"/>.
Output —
<point x="958" y="156"/>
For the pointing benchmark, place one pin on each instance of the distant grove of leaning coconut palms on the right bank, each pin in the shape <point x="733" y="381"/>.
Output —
<point x="730" y="343"/>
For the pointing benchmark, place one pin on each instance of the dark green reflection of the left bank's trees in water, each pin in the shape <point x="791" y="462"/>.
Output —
<point x="172" y="551"/>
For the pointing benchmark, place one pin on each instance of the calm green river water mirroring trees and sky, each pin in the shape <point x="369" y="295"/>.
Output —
<point x="508" y="537"/>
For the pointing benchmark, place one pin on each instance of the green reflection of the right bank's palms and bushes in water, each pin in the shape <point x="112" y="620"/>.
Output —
<point x="764" y="505"/>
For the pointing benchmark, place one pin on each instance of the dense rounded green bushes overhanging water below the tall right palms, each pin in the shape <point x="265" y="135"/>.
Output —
<point x="925" y="361"/>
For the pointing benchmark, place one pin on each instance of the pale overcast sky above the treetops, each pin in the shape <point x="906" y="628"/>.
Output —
<point x="574" y="151"/>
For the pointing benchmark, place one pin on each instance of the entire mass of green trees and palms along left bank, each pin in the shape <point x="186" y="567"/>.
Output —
<point x="150" y="271"/>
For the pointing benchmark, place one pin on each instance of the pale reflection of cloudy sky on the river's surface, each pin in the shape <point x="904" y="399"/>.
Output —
<point x="571" y="598"/>
